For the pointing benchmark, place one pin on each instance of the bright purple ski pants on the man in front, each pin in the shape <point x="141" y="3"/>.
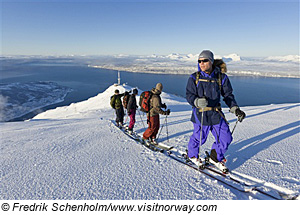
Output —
<point x="222" y="136"/>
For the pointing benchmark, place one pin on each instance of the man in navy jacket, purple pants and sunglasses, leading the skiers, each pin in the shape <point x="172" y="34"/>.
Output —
<point x="203" y="93"/>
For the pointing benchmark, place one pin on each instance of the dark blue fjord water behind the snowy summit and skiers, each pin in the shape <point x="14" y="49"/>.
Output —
<point x="87" y="82"/>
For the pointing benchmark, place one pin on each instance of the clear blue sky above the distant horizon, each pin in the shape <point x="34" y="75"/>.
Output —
<point x="248" y="28"/>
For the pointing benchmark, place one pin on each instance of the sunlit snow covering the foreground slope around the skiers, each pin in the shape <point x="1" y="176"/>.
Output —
<point x="75" y="152"/>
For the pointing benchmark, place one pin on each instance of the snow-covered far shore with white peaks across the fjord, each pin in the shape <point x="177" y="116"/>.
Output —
<point x="280" y="66"/>
